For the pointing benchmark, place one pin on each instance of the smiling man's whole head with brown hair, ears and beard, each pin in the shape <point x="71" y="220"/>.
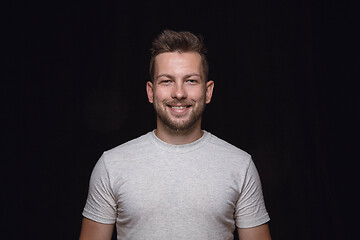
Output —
<point x="178" y="89"/>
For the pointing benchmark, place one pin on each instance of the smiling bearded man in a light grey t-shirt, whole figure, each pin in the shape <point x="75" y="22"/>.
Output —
<point x="178" y="181"/>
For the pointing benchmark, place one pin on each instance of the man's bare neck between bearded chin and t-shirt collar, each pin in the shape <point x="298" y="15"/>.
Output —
<point x="176" y="137"/>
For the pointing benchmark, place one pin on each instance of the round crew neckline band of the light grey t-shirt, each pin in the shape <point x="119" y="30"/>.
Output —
<point x="179" y="148"/>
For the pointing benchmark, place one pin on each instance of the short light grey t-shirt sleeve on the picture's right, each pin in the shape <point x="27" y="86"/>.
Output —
<point x="250" y="208"/>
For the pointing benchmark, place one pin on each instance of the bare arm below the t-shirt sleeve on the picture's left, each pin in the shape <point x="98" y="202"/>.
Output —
<point x="91" y="230"/>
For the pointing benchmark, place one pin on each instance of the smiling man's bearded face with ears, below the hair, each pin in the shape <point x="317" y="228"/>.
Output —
<point x="179" y="91"/>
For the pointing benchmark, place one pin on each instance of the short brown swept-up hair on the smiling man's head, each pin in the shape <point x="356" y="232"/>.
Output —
<point x="171" y="41"/>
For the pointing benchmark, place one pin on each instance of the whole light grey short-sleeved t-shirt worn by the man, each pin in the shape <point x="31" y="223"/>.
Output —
<point x="155" y="190"/>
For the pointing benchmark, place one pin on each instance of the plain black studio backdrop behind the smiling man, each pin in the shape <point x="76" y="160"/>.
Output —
<point x="284" y="73"/>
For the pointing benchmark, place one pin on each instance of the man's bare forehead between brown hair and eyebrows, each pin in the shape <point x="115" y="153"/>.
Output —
<point x="178" y="63"/>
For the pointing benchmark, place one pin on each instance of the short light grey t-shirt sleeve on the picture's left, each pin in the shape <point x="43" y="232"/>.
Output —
<point x="100" y="204"/>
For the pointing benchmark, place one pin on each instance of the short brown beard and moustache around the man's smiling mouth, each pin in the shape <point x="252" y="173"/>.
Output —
<point x="179" y="124"/>
